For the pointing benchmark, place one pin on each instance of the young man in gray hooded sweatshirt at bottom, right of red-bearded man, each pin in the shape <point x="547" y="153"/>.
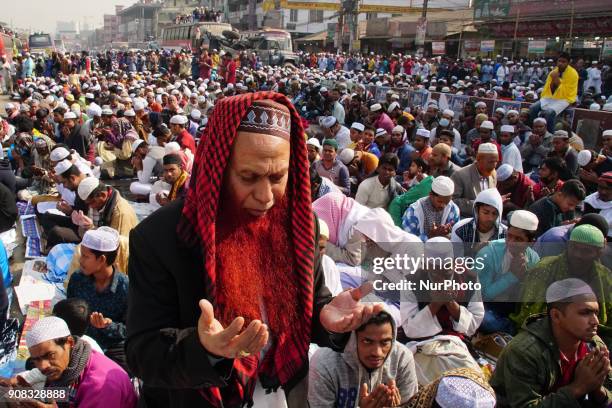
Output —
<point x="373" y="371"/>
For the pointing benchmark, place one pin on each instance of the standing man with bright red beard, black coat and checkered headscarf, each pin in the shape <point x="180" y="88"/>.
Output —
<point x="226" y="287"/>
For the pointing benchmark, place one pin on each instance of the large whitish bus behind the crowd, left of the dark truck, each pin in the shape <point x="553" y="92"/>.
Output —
<point x="191" y="36"/>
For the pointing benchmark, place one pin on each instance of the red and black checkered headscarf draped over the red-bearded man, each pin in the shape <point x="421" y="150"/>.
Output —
<point x="288" y="355"/>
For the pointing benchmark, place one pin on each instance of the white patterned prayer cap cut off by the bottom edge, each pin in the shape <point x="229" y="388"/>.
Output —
<point x="461" y="392"/>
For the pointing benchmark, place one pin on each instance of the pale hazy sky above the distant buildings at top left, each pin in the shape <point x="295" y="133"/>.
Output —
<point x="41" y="15"/>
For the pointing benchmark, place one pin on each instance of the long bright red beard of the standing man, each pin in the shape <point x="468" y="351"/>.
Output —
<point x="254" y="258"/>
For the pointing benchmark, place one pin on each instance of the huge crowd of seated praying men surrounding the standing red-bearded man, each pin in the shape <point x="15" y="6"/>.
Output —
<point x="518" y="189"/>
